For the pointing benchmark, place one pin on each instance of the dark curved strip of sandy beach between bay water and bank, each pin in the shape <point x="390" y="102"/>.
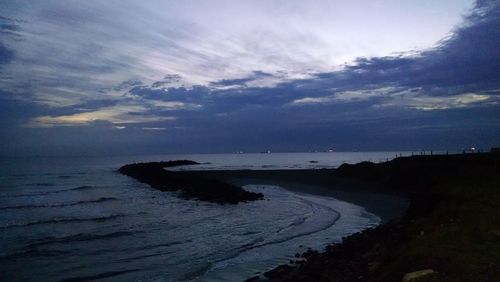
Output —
<point x="323" y="183"/>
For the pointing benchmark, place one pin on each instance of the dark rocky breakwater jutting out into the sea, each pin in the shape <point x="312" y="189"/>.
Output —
<point x="191" y="186"/>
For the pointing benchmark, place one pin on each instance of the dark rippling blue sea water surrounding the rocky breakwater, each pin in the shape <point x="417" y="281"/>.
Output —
<point x="77" y="218"/>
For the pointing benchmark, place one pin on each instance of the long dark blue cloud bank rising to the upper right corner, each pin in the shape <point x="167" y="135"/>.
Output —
<point x="441" y="78"/>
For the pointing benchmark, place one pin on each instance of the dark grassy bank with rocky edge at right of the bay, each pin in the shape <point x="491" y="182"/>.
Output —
<point x="451" y="231"/>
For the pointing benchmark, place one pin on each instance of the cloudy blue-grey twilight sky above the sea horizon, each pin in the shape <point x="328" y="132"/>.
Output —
<point x="133" y="77"/>
